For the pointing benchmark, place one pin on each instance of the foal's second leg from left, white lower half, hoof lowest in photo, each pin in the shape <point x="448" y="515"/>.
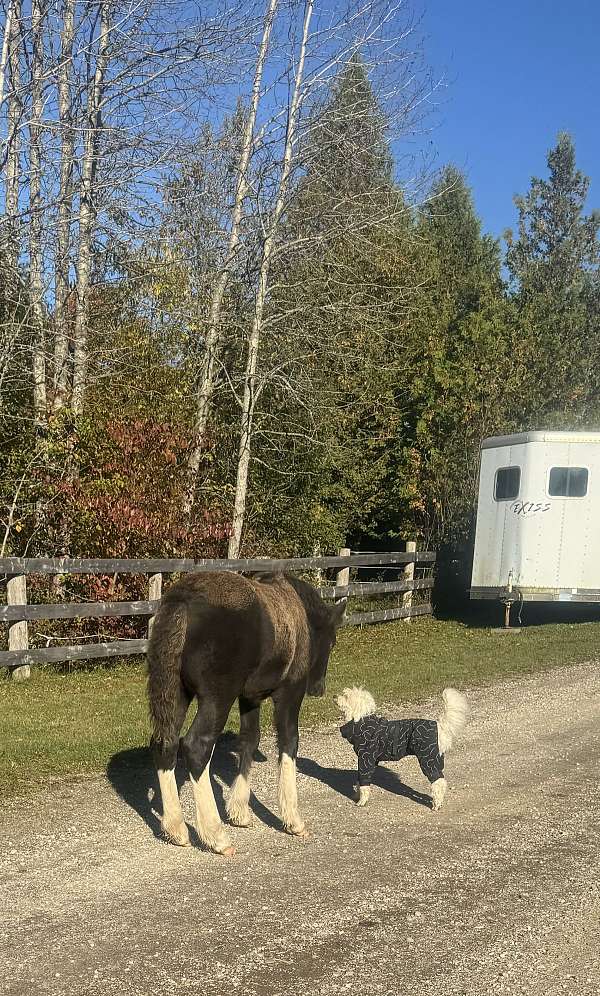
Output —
<point x="198" y="745"/>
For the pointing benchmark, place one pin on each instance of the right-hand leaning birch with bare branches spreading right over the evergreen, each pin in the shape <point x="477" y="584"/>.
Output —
<point x="371" y="29"/>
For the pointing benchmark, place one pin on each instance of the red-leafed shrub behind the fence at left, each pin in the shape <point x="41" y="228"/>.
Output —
<point x="127" y="497"/>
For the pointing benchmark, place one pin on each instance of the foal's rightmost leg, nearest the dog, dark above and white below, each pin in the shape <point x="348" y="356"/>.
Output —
<point x="287" y="709"/>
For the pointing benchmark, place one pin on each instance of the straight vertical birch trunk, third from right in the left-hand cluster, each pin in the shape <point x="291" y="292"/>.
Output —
<point x="35" y="222"/>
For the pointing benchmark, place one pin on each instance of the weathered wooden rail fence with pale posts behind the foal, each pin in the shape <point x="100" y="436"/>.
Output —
<point x="17" y="613"/>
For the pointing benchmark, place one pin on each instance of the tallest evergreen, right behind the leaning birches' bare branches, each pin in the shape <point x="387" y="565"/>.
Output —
<point x="336" y="280"/>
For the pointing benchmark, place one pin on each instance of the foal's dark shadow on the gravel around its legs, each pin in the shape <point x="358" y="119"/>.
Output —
<point x="133" y="777"/>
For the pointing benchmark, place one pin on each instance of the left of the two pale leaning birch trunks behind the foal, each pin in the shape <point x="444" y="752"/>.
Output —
<point x="213" y="333"/>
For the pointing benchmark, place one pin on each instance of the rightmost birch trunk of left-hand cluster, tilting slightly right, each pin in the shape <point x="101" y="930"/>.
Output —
<point x="87" y="210"/>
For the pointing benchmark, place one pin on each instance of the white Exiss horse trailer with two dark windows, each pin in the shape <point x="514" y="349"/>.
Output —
<point x="538" y="518"/>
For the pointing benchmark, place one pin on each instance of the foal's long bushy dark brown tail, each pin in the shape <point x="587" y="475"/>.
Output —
<point x="164" y="673"/>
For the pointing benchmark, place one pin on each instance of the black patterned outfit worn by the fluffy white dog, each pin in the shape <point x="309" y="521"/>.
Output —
<point x="376" y="739"/>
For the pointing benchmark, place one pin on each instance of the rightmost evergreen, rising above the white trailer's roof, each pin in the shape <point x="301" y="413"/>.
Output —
<point x="553" y="265"/>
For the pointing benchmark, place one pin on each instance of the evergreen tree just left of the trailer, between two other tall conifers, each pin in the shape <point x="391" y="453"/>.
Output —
<point x="464" y="372"/>
